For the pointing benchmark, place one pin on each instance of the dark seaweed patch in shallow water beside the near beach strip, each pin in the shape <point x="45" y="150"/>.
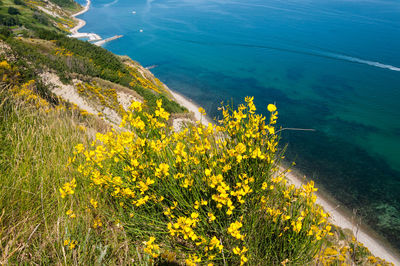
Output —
<point x="352" y="176"/>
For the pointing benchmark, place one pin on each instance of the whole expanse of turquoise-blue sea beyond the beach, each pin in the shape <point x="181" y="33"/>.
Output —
<point x="333" y="66"/>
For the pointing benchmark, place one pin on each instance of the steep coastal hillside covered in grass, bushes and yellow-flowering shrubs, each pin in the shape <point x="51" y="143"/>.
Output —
<point x="75" y="188"/>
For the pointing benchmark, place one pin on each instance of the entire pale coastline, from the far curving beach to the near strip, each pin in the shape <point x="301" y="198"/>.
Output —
<point x="339" y="215"/>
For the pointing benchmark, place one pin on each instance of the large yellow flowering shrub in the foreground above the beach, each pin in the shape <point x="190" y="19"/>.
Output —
<point x="209" y="194"/>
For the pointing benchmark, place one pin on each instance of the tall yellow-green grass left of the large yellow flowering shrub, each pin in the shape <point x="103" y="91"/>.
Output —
<point x="35" y="147"/>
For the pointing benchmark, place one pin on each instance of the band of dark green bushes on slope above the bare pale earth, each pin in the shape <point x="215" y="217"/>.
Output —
<point x="88" y="60"/>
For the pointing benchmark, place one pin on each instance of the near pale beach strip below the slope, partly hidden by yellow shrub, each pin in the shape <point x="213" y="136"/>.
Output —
<point x="339" y="215"/>
